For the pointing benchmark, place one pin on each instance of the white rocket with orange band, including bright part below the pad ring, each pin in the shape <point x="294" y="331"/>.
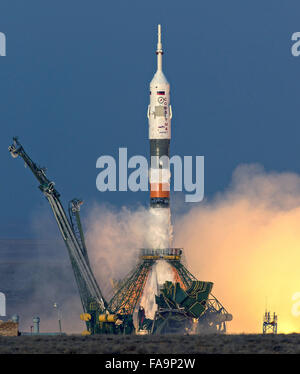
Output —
<point x="159" y="226"/>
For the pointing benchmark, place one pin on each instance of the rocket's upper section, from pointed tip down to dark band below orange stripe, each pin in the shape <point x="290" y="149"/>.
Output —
<point x="159" y="117"/>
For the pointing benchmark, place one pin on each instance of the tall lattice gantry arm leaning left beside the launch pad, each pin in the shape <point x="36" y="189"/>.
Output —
<point x="94" y="305"/>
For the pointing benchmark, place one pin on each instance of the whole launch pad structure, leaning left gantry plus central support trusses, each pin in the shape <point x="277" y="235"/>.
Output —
<point x="191" y="300"/>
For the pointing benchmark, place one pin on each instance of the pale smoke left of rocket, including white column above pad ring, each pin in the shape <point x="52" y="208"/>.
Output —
<point x="114" y="238"/>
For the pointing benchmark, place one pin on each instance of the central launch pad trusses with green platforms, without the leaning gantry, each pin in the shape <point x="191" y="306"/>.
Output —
<point x="187" y="300"/>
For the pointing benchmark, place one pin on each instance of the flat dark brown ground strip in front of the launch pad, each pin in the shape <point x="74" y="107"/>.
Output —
<point x="113" y="344"/>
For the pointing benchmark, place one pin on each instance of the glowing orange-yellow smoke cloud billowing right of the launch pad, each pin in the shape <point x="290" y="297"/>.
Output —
<point x="247" y="241"/>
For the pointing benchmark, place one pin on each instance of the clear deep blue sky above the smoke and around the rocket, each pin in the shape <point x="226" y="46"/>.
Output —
<point x="74" y="86"/>
